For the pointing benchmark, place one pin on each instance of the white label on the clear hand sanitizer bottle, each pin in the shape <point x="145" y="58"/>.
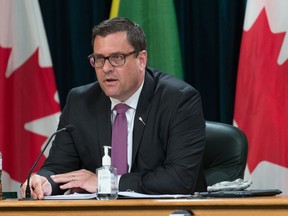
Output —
<point x="104" y="181"/>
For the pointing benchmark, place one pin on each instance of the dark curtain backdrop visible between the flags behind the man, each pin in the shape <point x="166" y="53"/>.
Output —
<point x="210" y="36"/>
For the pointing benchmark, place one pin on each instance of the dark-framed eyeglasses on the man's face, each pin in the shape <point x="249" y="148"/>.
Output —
<point x="116" y="60"/>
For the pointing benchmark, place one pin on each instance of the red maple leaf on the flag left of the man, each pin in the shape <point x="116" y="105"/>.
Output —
<point x="26" y="95"/>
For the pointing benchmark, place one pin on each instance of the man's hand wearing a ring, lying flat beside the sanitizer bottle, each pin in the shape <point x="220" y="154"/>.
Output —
<point x="77" y="181"/>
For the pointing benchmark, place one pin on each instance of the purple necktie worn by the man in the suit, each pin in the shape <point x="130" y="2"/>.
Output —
<point x="119" y="139"/>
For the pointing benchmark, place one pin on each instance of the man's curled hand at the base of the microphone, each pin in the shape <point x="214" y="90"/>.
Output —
<point x="39" y="185"/>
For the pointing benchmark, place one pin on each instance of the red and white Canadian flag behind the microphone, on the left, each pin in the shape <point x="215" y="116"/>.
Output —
<point x="29" y="105"/>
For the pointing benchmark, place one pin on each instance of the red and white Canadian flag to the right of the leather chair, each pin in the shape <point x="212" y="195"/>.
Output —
<point x="261" y="107"/>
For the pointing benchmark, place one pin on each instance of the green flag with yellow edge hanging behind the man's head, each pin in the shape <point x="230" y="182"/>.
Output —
<point x="158" y="20"/>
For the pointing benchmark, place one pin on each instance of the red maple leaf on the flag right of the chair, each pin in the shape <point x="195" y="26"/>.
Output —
<point x="261" y="108"/>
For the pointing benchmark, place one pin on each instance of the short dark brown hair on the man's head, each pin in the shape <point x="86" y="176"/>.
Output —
<point x="135" y="34"/>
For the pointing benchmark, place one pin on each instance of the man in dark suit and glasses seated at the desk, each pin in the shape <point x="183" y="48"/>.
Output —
<point x="166" y="127"/>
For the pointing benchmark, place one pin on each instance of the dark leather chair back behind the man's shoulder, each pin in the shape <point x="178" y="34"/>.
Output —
<point x="225" y="154"/>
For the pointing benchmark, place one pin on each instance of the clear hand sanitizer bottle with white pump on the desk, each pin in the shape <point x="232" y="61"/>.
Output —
<point x="107" y="184"/>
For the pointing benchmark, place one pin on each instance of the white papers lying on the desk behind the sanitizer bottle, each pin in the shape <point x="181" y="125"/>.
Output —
<point x="121" y="194"/>
